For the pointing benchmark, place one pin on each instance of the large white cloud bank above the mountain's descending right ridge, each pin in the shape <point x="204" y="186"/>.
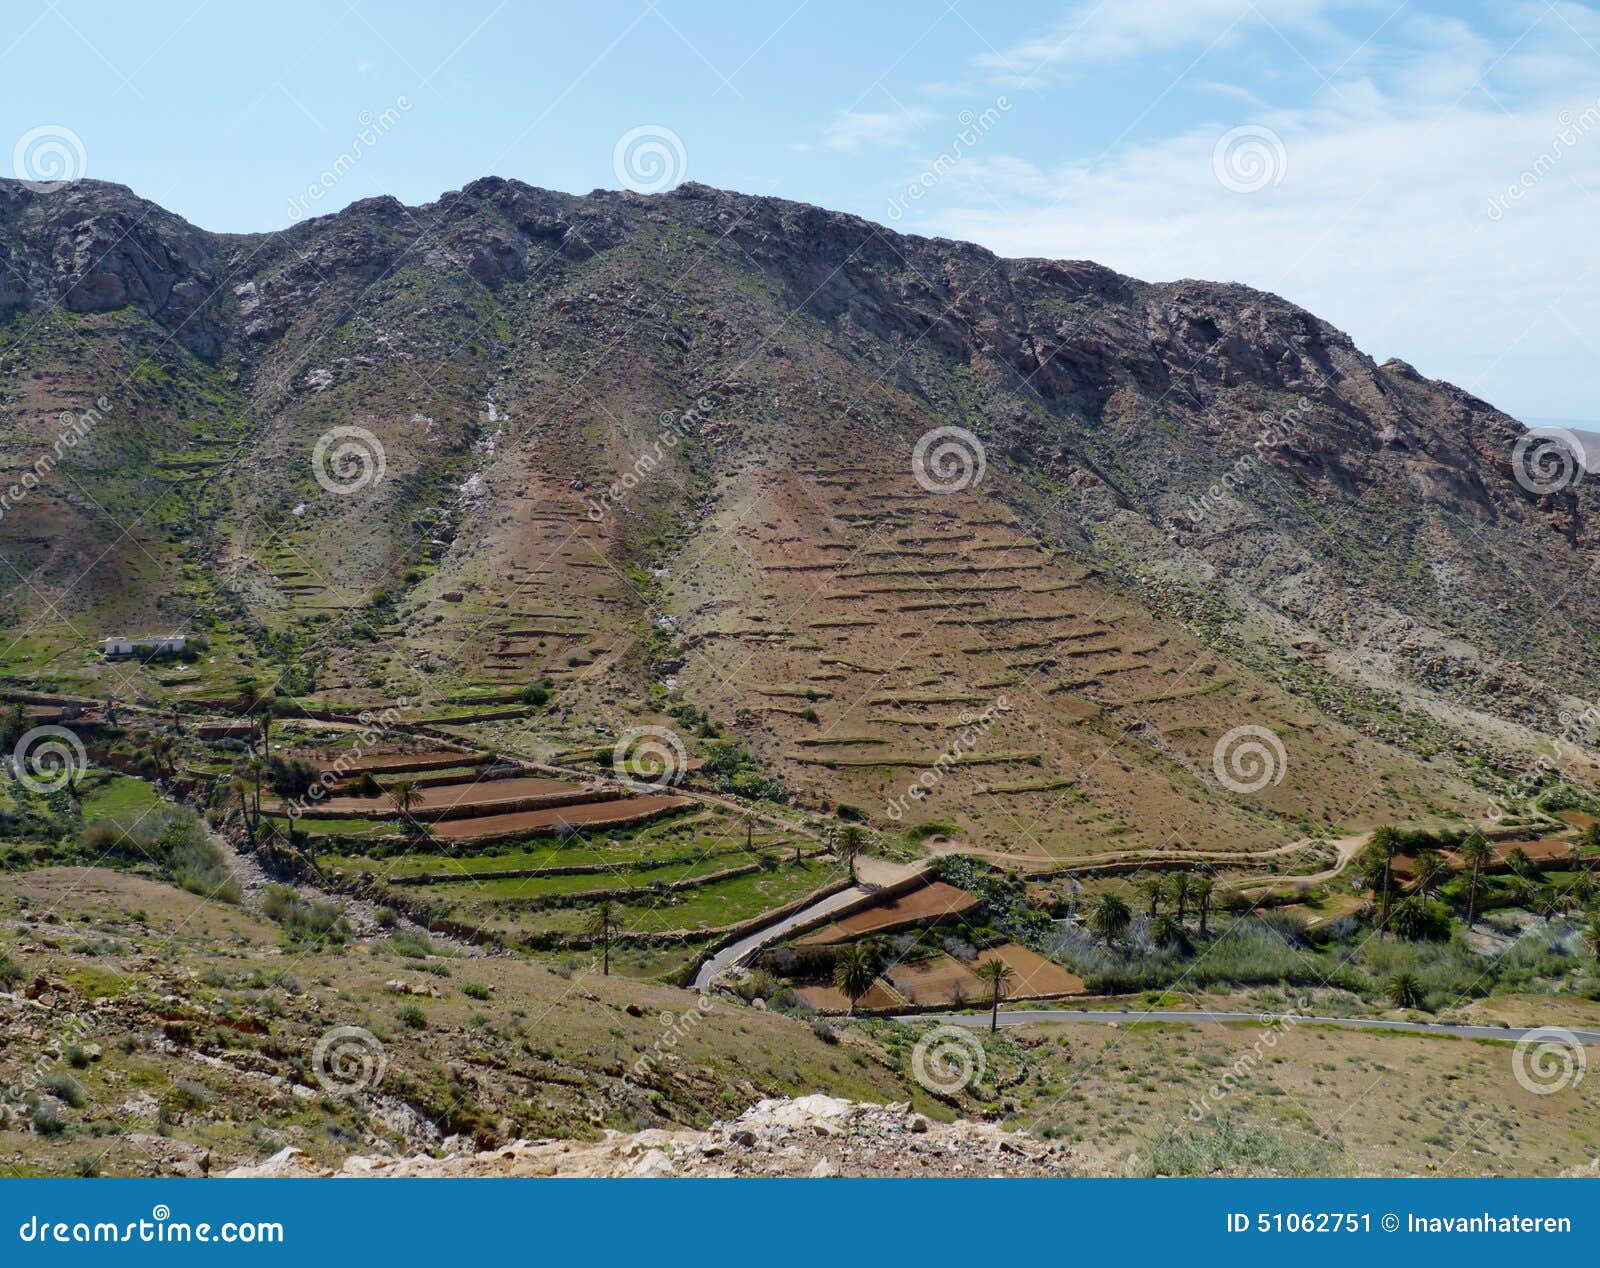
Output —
<point x="1394" y="217"/>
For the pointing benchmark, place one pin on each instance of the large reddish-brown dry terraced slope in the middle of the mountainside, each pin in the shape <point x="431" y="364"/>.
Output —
<point x="932" y="662"/>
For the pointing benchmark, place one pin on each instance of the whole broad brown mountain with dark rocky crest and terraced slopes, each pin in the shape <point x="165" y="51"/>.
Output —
<point x="1190" y="572"/>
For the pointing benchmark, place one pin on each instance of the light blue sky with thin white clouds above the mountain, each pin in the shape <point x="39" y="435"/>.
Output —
<point x="1423" y="175"/>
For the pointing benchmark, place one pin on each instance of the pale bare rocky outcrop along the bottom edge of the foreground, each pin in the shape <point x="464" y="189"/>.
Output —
<point x="791" y="1138"/>
